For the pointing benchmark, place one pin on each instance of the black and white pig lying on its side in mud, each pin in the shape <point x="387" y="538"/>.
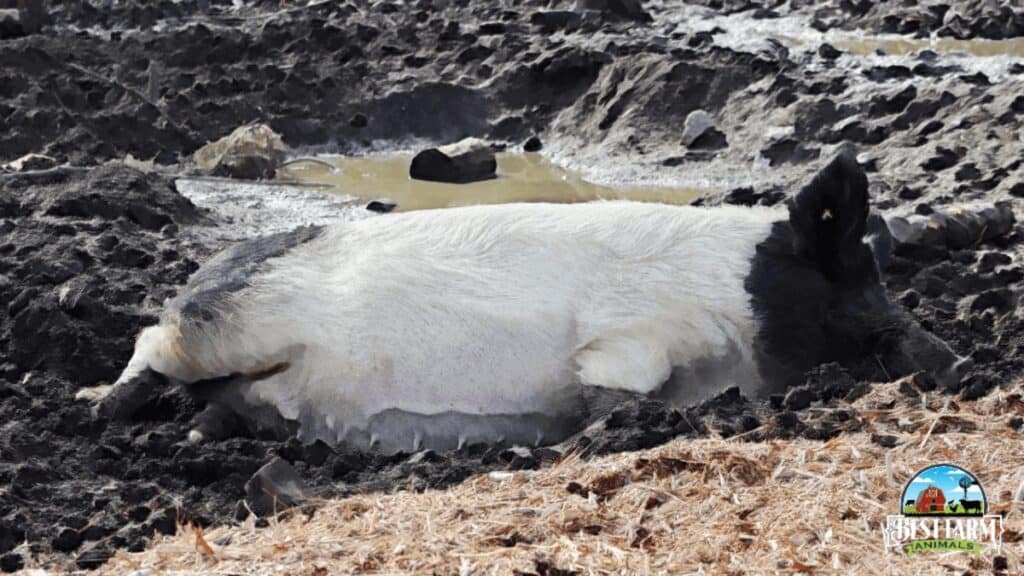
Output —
<point x="500" y="323"/>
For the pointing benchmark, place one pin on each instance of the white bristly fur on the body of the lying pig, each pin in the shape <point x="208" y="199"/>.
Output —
<point x="488" y="310"/>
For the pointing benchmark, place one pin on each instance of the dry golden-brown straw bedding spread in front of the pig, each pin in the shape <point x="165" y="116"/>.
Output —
<point x="714" y="506"/>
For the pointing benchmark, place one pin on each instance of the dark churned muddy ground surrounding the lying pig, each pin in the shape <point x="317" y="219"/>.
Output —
<point x="90" y="252"/>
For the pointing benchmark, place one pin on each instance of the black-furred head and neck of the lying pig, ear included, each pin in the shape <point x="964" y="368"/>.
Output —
<point x="818" y="297"/>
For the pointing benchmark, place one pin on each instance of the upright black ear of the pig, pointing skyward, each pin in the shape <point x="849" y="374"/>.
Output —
<point x="829" y="218"/>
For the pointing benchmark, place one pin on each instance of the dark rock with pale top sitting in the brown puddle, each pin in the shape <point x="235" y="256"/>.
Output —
<point x="468" y="160"/>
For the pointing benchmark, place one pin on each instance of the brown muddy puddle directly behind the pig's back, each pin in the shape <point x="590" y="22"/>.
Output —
<point x="522" y="178"/>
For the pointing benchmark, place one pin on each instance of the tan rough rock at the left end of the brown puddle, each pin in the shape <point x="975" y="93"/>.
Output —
<point x="249" y="153"/>
